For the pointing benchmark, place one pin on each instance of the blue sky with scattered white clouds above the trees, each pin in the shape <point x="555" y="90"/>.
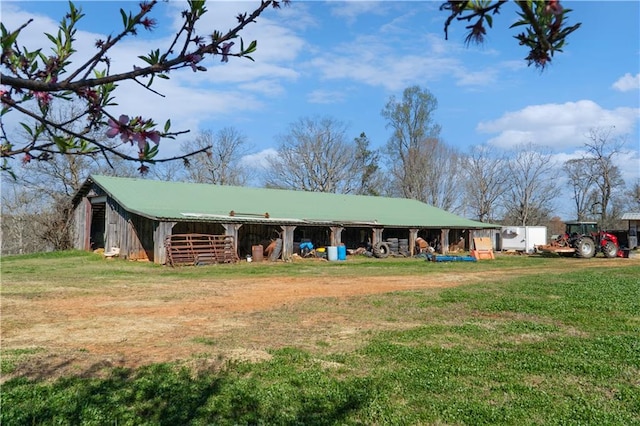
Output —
<point x="344" y="60"/>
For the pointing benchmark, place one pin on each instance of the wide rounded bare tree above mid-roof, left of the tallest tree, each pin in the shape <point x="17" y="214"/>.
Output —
<point x="315" y="156"/>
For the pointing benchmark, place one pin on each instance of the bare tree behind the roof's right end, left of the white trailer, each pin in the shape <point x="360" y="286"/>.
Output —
<point x="486" y="181"/>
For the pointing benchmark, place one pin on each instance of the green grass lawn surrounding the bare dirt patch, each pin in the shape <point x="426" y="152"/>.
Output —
<point x="550" y="348"/>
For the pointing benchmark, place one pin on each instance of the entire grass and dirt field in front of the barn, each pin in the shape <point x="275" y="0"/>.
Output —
<point x="518" y="340"/>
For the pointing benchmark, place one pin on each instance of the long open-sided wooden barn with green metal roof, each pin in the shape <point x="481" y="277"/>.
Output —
<point x="137" y="215"/>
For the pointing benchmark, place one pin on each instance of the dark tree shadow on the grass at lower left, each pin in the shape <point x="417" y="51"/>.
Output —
<point x="163" y="394"/>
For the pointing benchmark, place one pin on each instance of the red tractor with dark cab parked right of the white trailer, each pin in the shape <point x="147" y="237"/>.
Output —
<point x="585" y="240"/>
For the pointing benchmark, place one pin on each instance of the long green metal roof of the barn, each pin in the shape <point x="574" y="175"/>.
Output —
<point x="180" y="201"/>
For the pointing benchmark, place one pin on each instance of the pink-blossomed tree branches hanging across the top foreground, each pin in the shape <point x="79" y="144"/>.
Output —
<point x="32" y="81"/>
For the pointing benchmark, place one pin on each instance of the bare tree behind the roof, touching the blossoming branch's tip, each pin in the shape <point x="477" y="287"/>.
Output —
<point x="219" y="165"/>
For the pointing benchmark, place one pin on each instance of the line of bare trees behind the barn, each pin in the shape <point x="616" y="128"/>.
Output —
<point x="521" y="186"/>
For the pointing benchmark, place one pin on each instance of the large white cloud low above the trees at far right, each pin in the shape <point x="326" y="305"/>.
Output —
<point x="559" y="126"/>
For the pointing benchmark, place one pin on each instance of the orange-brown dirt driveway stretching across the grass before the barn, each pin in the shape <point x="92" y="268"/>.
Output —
<point x="85" y="331"/>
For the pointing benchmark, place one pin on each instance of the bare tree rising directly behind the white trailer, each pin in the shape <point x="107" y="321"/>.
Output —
<point x="532" y="186"/>
